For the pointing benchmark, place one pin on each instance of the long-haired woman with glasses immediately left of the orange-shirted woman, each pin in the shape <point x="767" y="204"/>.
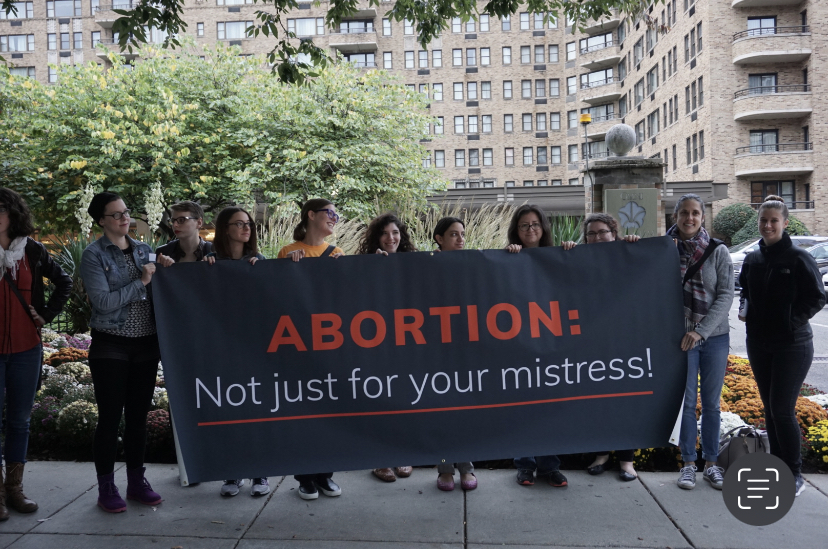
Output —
<point x="235" y="239"/>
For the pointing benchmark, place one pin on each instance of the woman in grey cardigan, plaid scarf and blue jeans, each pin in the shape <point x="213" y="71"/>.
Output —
<point x="708" y="295"/>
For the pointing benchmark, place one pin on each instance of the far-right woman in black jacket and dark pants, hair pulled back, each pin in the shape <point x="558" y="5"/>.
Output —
<point x="781" y="290"/>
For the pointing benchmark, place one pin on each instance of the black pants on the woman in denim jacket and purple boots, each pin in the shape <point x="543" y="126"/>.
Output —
<point x="122" y="385"/>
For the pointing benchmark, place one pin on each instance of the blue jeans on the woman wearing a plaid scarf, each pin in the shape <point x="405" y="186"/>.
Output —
<point x="708" y="361"/>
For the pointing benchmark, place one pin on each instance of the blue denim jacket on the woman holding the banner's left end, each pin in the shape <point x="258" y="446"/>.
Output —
<point x="106" y="279"/>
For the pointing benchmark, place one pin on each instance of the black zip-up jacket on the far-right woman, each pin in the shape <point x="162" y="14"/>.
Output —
<point x="784" y="290"/>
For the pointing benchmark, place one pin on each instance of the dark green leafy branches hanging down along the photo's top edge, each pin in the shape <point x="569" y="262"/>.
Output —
<point x="430" y="19"/>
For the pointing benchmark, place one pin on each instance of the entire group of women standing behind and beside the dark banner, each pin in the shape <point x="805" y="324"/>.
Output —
<point x="781" y="287"/>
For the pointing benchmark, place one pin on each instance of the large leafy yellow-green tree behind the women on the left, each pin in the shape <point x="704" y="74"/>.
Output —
<point x="216" y="130"/>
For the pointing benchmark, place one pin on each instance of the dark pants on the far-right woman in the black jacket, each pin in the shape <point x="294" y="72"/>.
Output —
<point x="780" y="372"/>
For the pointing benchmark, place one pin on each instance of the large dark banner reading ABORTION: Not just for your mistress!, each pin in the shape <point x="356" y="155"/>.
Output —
<point x="377" y="361"/>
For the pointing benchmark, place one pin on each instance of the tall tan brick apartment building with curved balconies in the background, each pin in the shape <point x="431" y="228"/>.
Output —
<point x="720" y="90"/>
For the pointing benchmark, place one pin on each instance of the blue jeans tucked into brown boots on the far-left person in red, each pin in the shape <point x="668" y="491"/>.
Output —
<point x="19" y="373"/>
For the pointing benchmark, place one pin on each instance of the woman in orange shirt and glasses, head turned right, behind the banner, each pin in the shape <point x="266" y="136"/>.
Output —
<point x="317" y="221"/>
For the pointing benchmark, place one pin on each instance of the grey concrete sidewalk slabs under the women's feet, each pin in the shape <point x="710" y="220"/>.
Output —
<point x="411" y="513"/>
